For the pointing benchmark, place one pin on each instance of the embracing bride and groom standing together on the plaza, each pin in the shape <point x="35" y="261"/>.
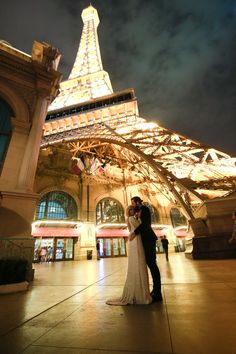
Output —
<point x="141" y="253"/>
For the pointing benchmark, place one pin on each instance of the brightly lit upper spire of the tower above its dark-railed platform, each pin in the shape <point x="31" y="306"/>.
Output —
<point x="87" y="79"/>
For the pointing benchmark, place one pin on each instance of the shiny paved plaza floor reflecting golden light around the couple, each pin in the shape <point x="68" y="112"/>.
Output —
<point x="64" y="310"/>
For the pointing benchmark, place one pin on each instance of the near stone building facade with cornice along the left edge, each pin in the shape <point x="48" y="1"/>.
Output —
<point x="28" y="84"/>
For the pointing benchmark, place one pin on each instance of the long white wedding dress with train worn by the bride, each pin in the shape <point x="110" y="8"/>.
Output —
<point x="136" y="289"/>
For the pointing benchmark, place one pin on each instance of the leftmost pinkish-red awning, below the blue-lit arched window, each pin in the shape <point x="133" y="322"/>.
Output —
<point x="55" y="232"/>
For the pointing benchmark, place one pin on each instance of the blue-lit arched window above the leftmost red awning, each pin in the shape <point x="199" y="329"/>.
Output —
<point x="56" y="205"/>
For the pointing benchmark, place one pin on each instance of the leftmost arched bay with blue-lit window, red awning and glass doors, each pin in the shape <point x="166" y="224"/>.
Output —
<point x="56" y="216"/>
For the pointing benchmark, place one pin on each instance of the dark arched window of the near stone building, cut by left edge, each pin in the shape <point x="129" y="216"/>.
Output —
<point x="5" y="129"/>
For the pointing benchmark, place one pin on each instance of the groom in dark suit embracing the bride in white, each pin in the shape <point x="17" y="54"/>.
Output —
<point x="149" y="244"/>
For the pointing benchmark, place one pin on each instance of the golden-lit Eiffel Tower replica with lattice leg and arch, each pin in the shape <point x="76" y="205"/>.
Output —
<point x="88" y="117"/>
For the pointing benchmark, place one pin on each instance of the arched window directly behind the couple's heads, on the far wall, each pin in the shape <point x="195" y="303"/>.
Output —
<point x="109" y="211"/>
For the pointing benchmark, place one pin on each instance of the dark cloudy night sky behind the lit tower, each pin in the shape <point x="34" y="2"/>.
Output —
<point x="178" y="55"/>
